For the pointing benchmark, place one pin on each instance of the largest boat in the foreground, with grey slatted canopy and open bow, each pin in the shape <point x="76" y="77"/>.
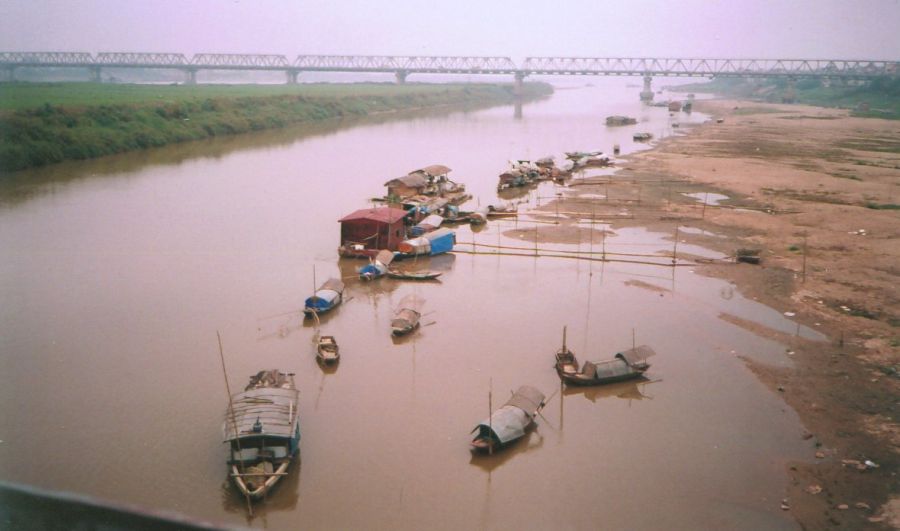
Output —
<point x="262" y="428"/>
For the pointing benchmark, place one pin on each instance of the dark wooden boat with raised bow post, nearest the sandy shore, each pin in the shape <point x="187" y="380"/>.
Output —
<point x="623" y="366"/>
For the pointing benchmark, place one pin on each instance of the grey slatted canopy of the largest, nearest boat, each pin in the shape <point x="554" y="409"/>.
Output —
<point x="274" y="408"/>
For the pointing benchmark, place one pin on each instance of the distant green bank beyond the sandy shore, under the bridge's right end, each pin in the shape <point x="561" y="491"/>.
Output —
<point x="877" y="99"/>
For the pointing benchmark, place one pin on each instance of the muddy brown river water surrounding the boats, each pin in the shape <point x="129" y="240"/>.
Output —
<point x="116" y="274"/>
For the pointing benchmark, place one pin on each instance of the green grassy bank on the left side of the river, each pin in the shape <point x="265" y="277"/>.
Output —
<point x="46" y="123"/>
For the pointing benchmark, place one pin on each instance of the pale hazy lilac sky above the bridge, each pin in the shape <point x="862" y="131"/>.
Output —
<point x="804" y="29"/>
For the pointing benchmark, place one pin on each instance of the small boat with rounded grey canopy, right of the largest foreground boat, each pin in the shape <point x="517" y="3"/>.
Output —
<point x="510" y="421"/>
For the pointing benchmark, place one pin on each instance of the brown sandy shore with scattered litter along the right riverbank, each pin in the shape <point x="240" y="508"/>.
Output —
<point x="813" y="190"/>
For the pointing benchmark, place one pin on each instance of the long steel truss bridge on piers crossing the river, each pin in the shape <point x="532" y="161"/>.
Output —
<point x="403" y="66"/>
